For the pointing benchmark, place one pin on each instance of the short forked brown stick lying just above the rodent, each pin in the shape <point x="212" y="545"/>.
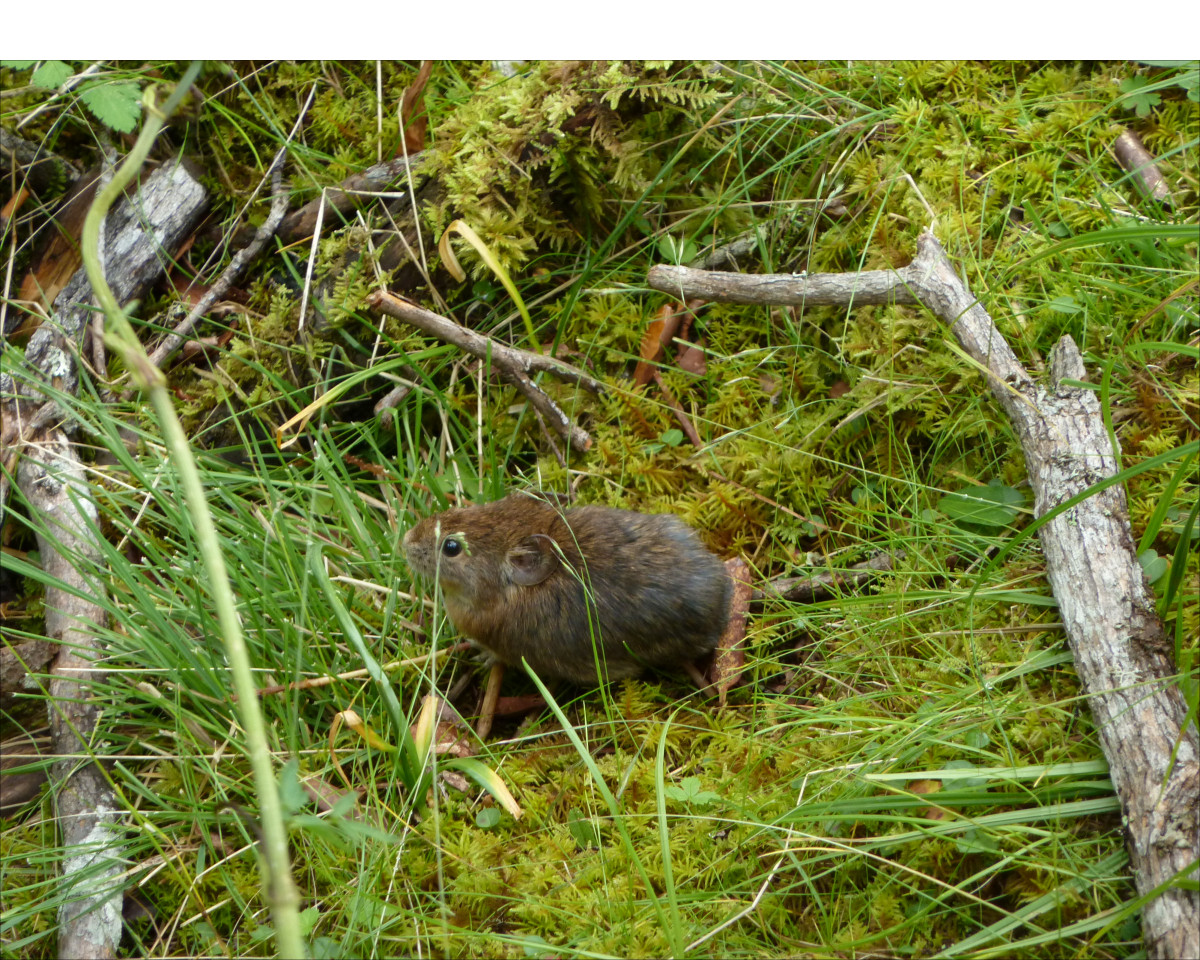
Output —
<point x="513" y="363"/>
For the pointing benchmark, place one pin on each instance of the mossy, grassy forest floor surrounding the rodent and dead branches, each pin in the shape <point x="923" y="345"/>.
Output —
<point x="904" y="769"/>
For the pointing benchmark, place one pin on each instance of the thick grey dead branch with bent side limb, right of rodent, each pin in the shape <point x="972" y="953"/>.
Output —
<point x="1121" y="653"/>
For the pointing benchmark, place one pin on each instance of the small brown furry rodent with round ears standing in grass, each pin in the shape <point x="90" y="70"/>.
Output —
<point x="523" y="578"/>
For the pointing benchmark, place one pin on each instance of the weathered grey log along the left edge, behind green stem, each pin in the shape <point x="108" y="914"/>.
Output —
<point x="140" y="236"/>
